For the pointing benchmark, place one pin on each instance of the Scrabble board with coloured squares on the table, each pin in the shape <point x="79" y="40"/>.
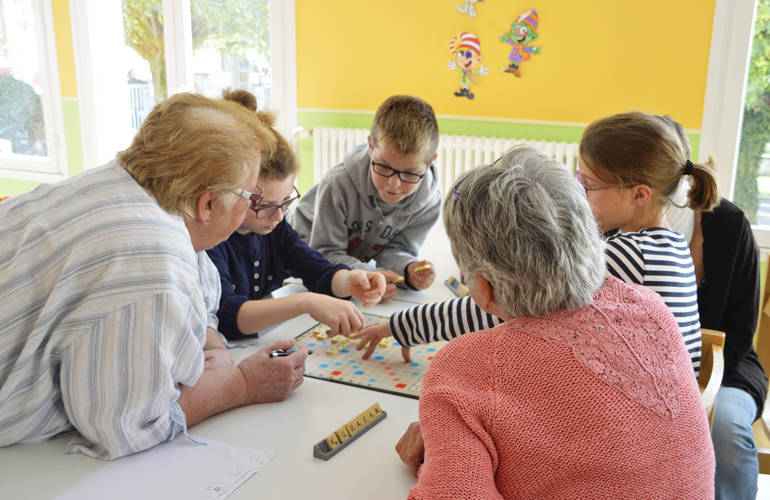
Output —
<point x="337" y="360"/>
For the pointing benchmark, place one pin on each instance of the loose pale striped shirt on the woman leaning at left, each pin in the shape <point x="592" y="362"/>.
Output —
<point x="102" y="315"/>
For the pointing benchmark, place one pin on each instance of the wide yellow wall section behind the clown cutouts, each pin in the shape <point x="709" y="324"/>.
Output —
<point x="598" y="57"/>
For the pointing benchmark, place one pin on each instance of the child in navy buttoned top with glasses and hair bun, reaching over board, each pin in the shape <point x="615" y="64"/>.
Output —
<point x="265" y="250"/>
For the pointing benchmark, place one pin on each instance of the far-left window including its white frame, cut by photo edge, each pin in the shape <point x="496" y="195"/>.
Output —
<point x="31" y="130"/>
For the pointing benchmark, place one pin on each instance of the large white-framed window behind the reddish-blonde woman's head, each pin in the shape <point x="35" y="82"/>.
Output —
<point x="147" y="49"/>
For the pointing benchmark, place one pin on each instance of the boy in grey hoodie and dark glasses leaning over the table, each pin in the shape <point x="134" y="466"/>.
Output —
<point x="381" y="201"/>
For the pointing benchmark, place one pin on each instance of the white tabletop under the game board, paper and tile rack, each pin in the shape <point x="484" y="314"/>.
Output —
<point x="368" y="468"/>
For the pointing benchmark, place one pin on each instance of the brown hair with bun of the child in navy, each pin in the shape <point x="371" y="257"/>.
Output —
<point x="282" y="162"/>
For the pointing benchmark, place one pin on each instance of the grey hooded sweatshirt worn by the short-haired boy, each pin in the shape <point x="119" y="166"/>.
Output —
<point x="344" y="218"/>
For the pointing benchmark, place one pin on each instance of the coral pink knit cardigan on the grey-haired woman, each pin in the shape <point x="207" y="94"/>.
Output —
<point x="595" y="403"/>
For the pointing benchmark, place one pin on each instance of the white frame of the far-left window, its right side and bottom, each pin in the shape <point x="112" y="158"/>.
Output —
<point x="53" y="167"/>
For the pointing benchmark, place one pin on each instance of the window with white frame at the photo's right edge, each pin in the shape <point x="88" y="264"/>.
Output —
<point x="736" y="108"/>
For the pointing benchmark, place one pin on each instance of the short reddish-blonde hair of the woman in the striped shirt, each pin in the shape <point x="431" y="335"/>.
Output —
<point x="190" y="144"/>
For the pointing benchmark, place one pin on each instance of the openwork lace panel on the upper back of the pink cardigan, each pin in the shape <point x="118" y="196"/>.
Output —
<point x="620" y="337"/>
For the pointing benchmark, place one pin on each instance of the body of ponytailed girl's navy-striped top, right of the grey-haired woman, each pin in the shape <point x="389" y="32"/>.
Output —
<point x="659" y="259"/>
